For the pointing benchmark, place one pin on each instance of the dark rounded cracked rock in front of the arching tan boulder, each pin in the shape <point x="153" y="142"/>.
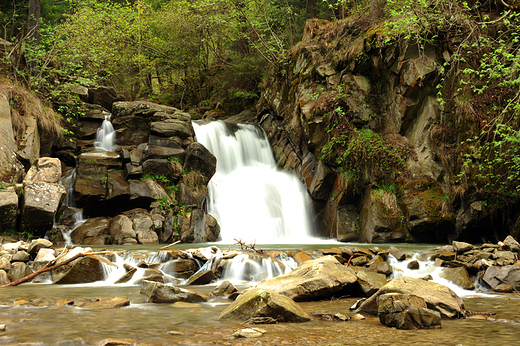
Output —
<point x="405" y="311"/>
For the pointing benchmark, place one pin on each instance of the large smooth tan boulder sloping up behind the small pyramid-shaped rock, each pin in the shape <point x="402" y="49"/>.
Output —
<point x="316" y="279"/>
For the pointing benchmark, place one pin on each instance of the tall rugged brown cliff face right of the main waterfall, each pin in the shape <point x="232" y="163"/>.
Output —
<point x="362" y="127"/>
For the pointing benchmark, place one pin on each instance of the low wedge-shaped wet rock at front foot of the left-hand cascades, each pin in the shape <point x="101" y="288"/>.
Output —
<point x="161" y="293"/>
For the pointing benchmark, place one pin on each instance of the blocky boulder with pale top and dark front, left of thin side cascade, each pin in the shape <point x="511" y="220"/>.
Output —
<point x="41" y="201"/>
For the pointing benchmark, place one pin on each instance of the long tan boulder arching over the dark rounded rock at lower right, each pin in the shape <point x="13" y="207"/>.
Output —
<point x="437" y="297"/>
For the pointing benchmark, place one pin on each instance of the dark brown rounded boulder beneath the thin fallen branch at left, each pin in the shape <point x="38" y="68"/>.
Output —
<point x="82" y="270"/>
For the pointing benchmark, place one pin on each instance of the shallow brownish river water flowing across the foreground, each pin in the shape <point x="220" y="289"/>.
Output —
<point x="196" y="324"/>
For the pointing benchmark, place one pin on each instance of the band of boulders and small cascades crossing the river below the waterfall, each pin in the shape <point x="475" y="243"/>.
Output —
<point x="171" y="276"/>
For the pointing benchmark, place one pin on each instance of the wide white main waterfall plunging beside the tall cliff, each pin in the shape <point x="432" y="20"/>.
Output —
<point x="251" y="199"/>
